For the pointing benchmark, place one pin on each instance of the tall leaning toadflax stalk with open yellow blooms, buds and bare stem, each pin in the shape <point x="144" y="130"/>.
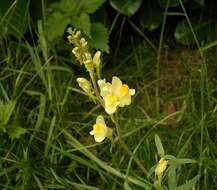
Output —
<point x="111" y="96"/>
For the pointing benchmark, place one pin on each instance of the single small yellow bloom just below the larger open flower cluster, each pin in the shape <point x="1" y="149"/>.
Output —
<point x="100" y="130"/>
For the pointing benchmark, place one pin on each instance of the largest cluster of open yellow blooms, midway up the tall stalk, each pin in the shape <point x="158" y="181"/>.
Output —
<point x="115" y="95"/>
